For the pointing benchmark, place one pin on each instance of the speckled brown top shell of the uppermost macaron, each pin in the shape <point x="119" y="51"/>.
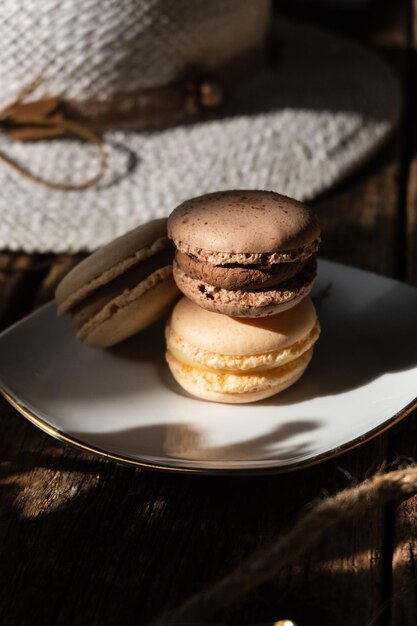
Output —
<point x="243" y="227"/>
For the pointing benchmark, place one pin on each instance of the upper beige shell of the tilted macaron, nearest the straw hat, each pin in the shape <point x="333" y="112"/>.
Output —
<point x="109" y="262"/>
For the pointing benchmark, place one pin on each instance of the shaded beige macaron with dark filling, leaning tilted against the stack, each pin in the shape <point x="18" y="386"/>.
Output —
<point x="121" y="288"/>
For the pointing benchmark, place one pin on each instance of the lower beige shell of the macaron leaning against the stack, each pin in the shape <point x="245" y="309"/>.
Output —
<point x="133" y="317"/>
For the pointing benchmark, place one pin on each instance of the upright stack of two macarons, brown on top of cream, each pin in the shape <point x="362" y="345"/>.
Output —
<point x="246" y="262"/>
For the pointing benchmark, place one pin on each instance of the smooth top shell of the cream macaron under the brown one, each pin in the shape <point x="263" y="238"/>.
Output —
<point x="213" y="332"/>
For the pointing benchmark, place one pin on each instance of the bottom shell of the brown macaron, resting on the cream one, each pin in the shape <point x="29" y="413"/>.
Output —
<point x="247" y="303"/>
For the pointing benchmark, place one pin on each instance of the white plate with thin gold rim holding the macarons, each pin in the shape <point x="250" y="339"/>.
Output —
<point x="122" y="403"/>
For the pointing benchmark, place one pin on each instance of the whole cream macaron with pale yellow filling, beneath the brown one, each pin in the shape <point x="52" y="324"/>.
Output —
<point x="235" y="360"/>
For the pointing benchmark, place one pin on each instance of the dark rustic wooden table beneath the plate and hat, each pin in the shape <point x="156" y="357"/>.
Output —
<point x="86" y="541"/>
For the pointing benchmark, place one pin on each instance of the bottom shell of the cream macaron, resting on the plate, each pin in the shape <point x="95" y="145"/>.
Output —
<point x="234" y="388"/>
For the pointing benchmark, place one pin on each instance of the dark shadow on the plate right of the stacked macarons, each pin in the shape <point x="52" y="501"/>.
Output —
<point x="358" y="347"/>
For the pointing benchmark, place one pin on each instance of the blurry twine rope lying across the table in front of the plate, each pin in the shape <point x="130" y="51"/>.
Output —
<point x="350" y="503"/>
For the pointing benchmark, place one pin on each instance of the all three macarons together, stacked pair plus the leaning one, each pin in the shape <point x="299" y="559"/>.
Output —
<point x="245" y="261"/>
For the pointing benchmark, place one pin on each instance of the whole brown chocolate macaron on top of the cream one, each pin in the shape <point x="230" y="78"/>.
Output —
<point x="244" y="253"/>
